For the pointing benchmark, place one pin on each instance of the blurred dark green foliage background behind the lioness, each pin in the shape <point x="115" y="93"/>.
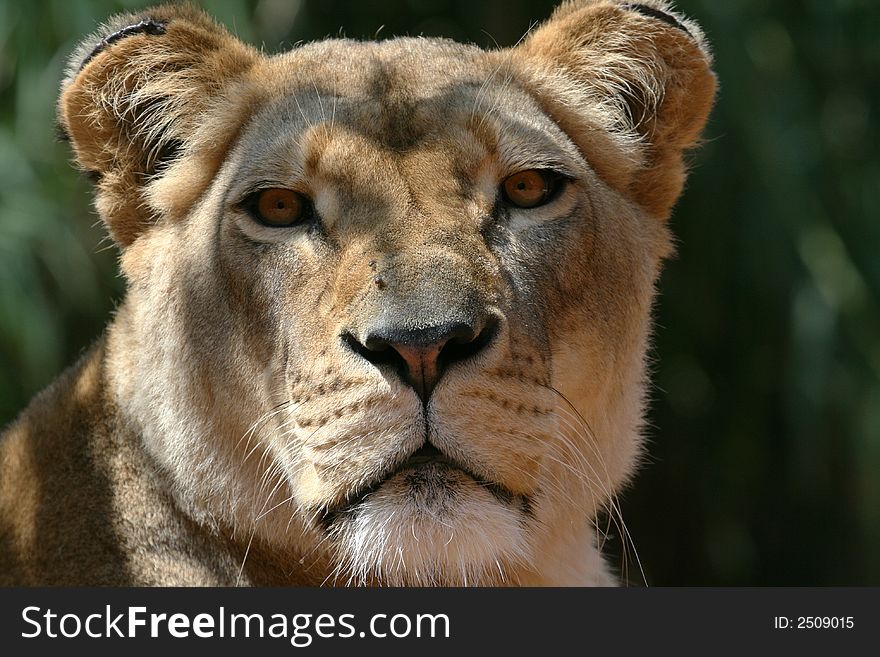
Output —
<point x="765" y="425"/>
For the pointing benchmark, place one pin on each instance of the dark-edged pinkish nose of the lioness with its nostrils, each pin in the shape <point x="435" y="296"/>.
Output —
<point x="422" y="355"/>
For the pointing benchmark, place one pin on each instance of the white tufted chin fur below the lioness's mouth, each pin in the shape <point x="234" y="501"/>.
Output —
<point x="398" y="536"/>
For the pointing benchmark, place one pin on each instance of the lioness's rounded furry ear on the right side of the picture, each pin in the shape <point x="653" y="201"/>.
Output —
<point x="631" y="84"/>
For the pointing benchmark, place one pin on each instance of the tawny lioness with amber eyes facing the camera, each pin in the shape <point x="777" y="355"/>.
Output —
<point x="387" y="309"/>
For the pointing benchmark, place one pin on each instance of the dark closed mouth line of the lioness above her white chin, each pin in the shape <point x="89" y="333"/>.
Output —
<point x="425" y="470"/>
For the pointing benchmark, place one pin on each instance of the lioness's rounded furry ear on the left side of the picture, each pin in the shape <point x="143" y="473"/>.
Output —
<point x="134" y="98"/>
